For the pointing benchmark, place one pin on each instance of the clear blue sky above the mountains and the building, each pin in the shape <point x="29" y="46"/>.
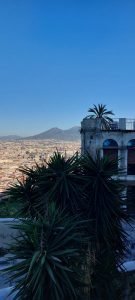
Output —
<point x="57" y="58"/>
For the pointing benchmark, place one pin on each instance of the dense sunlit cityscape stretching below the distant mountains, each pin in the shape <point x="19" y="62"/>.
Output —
<point x="15" y="154"/>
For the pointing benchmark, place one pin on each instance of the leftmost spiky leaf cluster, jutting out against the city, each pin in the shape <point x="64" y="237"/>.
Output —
<point x="26" y="193"/>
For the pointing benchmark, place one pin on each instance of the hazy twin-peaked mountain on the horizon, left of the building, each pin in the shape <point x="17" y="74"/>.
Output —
<point x="72" y="134"/>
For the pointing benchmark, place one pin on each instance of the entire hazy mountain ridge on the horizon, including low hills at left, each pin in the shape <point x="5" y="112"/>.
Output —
<point x="71" y="134"/>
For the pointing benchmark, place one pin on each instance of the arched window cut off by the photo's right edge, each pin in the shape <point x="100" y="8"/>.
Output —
<point x="131" y="157"/>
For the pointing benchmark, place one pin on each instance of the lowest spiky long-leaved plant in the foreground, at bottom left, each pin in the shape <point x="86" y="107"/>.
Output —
<point x="50" y="255"/>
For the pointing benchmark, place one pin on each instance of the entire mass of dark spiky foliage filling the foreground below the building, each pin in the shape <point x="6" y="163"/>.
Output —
<point x="88" y="189"/>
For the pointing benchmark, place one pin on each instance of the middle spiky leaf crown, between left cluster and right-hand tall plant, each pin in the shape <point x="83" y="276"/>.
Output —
<point x="63" y="179"/>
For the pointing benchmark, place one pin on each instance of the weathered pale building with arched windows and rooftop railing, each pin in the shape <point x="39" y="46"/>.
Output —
<point x="116" y="142"/>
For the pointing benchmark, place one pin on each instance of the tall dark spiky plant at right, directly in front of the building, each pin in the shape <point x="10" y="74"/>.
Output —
<point x="103" y="207"/>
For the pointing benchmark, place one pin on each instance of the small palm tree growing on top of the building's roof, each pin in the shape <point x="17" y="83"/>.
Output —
<point x="101" y="113"/>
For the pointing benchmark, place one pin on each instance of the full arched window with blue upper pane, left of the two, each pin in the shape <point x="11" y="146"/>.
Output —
<point x="110" y="149"/>
